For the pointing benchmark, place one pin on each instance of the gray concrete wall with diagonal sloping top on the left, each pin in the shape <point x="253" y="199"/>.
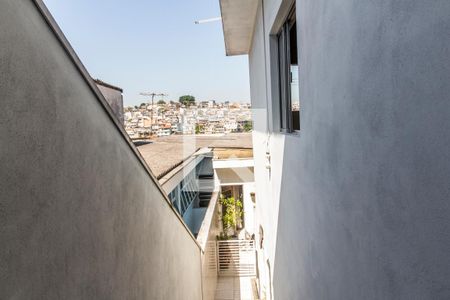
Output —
<point x="80" y="216"/>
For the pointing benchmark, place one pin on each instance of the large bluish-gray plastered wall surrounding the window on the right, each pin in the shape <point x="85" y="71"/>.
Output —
<point x="364" y="189"/>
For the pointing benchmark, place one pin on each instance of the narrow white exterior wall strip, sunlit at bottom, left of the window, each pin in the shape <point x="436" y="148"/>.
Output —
<point x="267" y="180"/>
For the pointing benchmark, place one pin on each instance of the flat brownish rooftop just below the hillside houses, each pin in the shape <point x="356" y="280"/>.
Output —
<point x="165" y="153"/>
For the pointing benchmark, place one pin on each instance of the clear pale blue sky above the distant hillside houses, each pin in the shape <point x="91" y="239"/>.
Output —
<point x="154" y="45"/>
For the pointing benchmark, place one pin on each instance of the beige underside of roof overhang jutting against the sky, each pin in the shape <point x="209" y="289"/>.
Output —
<point x="238" y="20"/>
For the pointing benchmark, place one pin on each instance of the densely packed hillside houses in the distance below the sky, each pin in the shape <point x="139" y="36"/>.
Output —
<point x="206" y="117"/>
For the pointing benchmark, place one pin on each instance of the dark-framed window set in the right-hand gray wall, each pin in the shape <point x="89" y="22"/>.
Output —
<point x="288" y="75"/>
